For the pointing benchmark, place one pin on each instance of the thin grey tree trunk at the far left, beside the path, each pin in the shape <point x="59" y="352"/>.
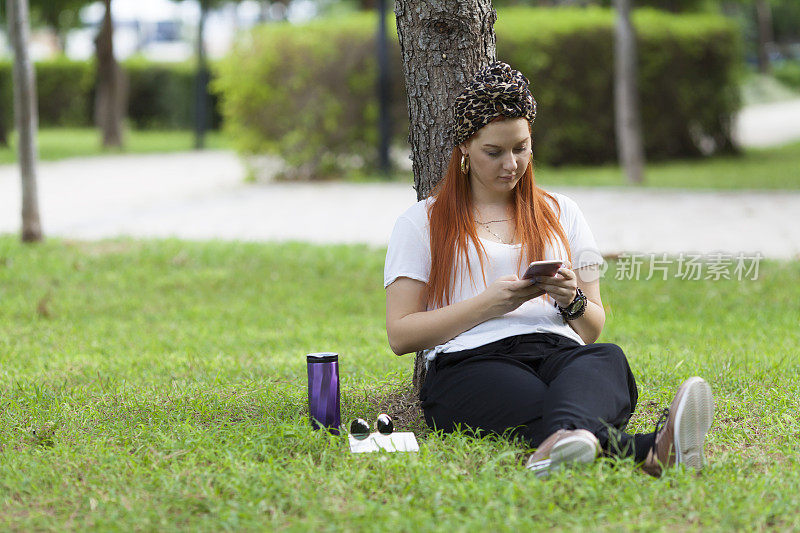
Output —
<point x="26" y="117"/>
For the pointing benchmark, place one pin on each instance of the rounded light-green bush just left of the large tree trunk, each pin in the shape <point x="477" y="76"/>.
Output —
<point x="307" y="93"/>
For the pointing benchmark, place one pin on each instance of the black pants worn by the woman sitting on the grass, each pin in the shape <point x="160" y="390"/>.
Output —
<point x="529" y="386"/>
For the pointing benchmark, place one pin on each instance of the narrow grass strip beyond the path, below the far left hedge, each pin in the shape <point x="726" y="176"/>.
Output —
<point x="61" y="143"/>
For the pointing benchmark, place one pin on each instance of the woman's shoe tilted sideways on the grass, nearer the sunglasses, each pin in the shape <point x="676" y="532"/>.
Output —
<point x="564" y="447"/>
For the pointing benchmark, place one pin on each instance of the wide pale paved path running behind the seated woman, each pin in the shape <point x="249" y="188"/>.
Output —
<point x="202" y="196"/>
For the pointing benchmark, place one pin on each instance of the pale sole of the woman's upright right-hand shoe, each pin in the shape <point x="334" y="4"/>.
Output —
<point x="693" y="419"/>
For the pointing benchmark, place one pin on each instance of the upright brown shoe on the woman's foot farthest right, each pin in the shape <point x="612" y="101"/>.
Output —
<point x="681" y="429"/>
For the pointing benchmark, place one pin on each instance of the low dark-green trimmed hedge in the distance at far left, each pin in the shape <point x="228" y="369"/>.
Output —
<point x="160" y="95"/>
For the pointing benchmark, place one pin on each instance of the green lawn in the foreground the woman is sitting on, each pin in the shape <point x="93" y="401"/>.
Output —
<point x="165" y="382"/>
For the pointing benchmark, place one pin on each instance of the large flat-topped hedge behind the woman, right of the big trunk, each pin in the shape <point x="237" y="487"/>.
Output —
<point x="688" y="80"/>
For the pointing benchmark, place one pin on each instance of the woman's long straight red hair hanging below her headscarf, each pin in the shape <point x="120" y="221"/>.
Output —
<point x="451" y="222"/>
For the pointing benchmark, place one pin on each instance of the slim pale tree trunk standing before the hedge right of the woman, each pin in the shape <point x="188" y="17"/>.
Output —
<point x="628" y="122"/>
